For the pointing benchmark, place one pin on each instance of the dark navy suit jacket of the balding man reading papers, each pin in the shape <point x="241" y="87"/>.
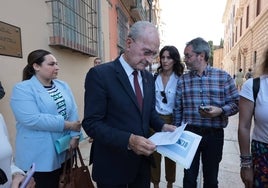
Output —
<point x="111" y="114"/>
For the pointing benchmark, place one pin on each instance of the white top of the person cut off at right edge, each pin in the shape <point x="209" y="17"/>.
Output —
<point x="260" y="130"/>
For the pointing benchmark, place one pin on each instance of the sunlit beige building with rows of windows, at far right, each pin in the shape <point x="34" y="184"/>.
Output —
<point x="245" y="34"/>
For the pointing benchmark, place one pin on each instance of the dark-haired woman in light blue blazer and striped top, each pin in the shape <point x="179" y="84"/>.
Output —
<point x="45" y="110"/>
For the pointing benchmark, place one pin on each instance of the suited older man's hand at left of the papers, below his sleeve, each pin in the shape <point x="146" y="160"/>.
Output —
<point x="141" y="145"/>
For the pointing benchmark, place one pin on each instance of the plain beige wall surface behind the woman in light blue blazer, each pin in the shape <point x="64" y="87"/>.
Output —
<point x="32" y="17"/>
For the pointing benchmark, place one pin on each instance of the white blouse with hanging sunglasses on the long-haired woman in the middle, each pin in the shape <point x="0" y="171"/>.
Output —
<point x="170" y="90"/>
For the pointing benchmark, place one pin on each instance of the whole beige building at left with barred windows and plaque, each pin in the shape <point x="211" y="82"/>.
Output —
<point x="74" y="31"/>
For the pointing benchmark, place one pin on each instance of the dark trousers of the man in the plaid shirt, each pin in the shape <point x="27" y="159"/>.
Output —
<point x="210" y="152"/>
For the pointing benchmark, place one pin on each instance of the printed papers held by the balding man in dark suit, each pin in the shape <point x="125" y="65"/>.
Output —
<point x="182" y="150"/>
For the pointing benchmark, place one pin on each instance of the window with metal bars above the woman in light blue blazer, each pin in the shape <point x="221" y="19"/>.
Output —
<point x="74" y="25"/>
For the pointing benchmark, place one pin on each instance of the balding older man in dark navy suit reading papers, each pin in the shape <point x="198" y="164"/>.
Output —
<point x="117" y="122"/>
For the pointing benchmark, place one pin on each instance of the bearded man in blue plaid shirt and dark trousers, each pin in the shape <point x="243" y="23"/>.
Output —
<point x="205" y="98"/>
